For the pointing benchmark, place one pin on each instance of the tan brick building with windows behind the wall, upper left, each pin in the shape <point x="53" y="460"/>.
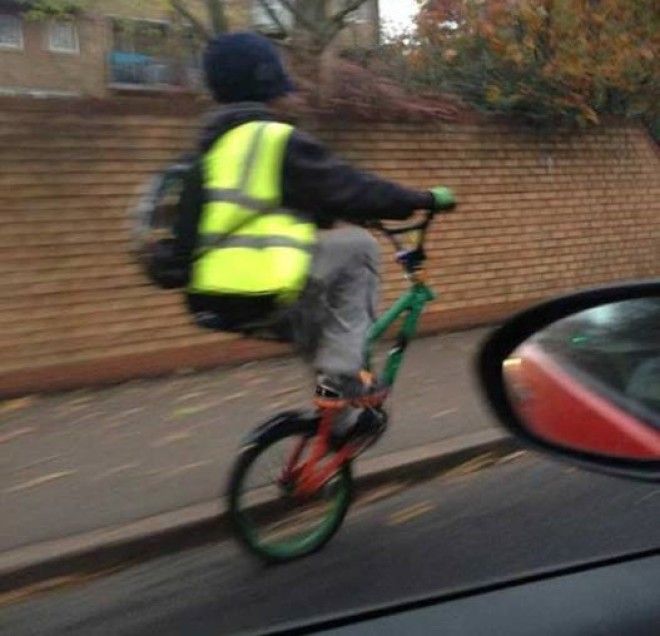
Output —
<point x="123" y="46"/>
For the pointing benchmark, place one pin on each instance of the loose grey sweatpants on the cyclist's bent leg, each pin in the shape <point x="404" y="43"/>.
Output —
<point x="332" y="318"/>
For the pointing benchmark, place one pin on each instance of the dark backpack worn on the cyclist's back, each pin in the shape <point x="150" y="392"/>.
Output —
<point x="155" y="217"/>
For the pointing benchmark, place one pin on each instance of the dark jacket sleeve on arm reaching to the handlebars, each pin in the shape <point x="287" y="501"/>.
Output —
<point x="316" y="182"/>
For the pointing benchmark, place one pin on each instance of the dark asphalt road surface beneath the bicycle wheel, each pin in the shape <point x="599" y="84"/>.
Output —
<point x="467" y="527"/>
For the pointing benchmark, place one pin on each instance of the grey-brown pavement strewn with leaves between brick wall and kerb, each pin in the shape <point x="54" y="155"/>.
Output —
<point x="87" y="460"/>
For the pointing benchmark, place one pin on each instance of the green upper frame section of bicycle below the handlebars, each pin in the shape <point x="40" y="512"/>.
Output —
<point x="411" y="304"/>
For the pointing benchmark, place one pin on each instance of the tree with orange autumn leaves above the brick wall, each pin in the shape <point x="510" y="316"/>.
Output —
<point x="547" y="60"/>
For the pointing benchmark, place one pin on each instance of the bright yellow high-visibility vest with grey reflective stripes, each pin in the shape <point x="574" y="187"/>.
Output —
<point x="248" y="244"/>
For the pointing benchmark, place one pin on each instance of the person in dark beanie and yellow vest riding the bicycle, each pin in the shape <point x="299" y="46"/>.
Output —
<point x="257" y="222"/>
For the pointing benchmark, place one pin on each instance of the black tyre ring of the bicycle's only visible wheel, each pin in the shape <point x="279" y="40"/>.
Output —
<point x="265" y="437"/>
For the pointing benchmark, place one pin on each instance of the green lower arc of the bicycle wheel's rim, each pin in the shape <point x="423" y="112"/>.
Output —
<point x="304" y="543"/>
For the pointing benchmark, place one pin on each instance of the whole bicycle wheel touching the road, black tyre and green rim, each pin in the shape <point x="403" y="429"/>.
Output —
<point x="272" y="521"/>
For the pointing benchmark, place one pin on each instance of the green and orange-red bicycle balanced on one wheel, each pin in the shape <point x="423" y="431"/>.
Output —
<point x="312" y="482"/>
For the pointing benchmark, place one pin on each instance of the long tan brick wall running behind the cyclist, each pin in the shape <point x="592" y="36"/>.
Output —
<point x="538" y="215"/>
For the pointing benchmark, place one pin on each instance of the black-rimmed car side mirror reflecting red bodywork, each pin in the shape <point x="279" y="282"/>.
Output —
<point x="579" y="377"/>
